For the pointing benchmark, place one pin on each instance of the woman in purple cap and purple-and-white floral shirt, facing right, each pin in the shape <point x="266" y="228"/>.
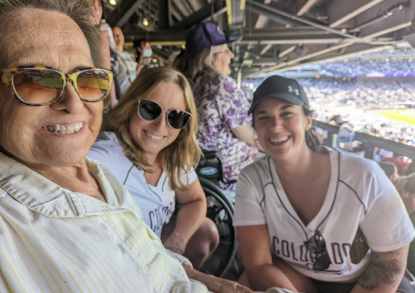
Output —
<point x="224" y="125"/>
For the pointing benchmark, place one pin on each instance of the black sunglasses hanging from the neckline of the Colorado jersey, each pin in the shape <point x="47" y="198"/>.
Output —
<point x="317" y="247"/>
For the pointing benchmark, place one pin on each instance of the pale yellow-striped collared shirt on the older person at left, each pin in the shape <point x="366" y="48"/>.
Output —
<point x="56" y="240"/>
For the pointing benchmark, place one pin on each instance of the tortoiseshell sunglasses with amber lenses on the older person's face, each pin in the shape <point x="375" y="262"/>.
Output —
<point x="41" y="86"/>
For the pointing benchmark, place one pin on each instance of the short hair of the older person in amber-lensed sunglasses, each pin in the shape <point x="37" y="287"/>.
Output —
<point x="78" y="10"/>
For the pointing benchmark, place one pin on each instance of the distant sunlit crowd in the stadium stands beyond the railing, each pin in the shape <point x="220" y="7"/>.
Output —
<point x="359" y="102"/>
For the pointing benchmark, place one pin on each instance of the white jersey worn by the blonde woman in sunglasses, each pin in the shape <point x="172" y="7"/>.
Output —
<point x="157" y="203"/>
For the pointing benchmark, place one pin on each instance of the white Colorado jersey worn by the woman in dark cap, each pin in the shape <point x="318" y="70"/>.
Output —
<point x="359" y="195"/>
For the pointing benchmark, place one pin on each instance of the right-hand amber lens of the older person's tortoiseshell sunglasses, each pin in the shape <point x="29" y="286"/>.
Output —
<point x="93" y="84"/>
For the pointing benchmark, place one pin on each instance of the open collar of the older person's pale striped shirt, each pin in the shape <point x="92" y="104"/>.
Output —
<point x="41" y="195"/>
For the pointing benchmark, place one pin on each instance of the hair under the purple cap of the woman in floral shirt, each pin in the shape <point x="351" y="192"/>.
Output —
<point x="194" y="63"/>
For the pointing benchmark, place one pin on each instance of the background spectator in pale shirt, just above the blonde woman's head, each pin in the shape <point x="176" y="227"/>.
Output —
<point x="127" y="67"/>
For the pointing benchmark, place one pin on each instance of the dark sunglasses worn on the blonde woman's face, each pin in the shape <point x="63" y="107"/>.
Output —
<point x="149" y="111"/>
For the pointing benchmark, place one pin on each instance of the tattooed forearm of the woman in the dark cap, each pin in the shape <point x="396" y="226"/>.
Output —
<point x="384" y="272"/>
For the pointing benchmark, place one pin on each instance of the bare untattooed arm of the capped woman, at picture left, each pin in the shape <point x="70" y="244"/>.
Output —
<point x="254" y="247"/>
